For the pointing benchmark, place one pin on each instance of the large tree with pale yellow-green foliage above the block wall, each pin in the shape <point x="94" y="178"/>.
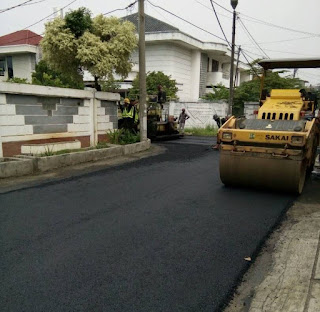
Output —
<point x="101" y="45"/>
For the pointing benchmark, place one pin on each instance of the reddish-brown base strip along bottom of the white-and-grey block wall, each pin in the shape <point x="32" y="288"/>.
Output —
<point x="14" y="148"/>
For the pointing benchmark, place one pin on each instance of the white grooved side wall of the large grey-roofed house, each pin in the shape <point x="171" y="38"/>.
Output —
<point x="172" y="60"/>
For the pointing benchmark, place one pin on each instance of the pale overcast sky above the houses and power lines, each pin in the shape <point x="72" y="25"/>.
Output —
<point x="276" y="42"/>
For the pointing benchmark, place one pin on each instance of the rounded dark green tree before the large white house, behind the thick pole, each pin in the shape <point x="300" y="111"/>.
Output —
<point x="153" y="80"/>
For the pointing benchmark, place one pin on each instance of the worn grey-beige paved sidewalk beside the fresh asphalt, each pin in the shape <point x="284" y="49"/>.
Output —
<point x="286" y="275"/>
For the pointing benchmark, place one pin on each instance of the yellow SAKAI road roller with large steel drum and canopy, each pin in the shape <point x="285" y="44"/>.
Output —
<point x="278" y="148"/>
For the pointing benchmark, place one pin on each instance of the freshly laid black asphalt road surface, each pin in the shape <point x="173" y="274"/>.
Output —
<point x="159" y="234"/>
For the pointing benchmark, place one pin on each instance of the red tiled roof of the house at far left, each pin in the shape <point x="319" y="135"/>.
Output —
<point x="20" y="37"/>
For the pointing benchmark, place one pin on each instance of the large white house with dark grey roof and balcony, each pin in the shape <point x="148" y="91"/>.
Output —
<point x="194" y="64"/>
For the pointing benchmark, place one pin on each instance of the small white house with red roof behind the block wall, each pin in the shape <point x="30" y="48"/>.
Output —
<point x="19" y="53"/>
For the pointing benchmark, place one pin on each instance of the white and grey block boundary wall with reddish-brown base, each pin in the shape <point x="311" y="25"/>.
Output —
<point x="37" y="114"/>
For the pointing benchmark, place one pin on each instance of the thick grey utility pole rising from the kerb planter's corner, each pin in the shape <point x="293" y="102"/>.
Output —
<point x="142" y="74"/>
